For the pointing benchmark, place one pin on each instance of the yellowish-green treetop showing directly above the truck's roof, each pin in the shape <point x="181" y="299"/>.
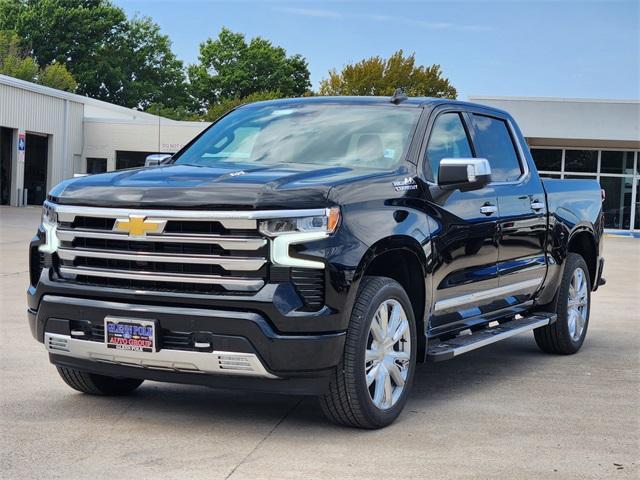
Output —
<point x="379" y="76"/>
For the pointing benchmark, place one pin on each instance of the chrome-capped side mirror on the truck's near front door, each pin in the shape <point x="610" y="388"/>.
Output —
<point x="464" y="173"/>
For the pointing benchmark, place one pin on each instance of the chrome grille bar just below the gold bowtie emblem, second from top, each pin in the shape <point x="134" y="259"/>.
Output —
<point x="227" y="243"/>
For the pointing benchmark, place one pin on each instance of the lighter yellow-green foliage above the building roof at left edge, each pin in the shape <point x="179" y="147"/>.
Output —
<point x="15" y="62"/>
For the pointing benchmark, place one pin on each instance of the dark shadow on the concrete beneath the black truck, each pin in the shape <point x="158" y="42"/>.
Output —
<point x="435" y="384"/>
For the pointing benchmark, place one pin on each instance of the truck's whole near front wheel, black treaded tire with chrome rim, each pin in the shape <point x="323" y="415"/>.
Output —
<point x="351" y="398"/>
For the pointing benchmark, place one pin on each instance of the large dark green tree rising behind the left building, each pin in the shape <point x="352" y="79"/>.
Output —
<point x="127" y="62"/>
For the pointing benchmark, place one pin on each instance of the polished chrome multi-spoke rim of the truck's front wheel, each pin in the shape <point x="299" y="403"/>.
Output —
<point x="388" y="354"/>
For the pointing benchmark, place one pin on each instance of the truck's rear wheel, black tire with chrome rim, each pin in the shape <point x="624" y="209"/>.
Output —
<point x="566" y="335"/>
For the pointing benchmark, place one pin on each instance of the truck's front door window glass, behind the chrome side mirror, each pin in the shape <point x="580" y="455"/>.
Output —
<point x="448" y="139"/>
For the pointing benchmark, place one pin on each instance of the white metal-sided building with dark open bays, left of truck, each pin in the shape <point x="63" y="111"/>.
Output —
<point x="47" y="135"/>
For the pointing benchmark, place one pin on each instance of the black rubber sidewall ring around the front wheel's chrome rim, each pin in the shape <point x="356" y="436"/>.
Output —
<point x="390" y="291"/>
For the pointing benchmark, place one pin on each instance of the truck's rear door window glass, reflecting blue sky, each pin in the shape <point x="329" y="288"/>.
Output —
<point x="494" y="142"/>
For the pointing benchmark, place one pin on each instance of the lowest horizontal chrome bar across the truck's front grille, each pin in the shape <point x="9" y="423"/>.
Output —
<point x="234" y="283"/>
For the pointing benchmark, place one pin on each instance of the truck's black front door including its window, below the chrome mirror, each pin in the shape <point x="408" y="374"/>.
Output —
<point x="465" y="246"/>
